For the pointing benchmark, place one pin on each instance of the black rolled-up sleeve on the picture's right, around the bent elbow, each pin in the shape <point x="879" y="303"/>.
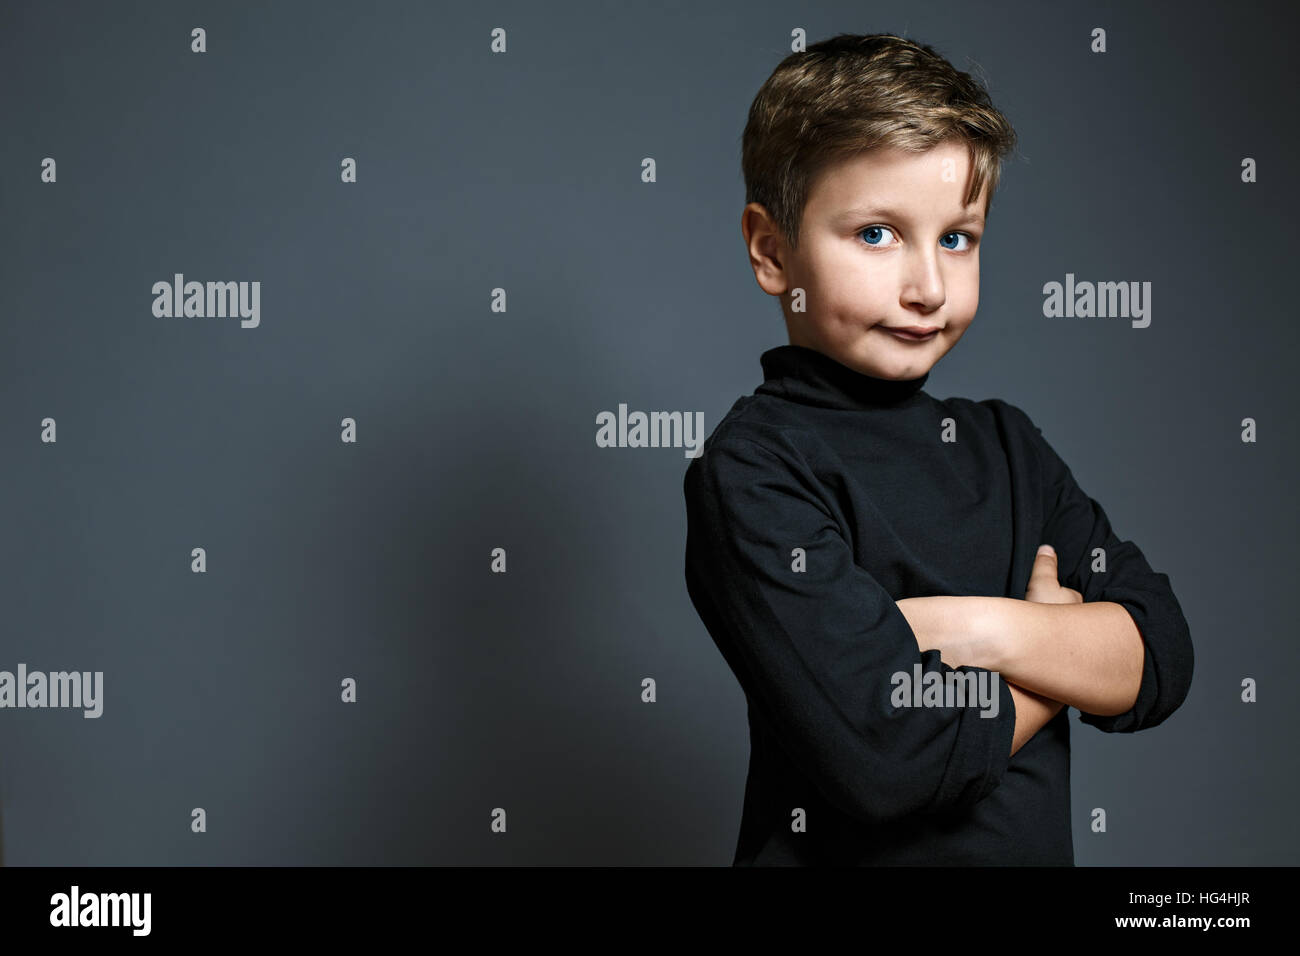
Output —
<point x="1076" y="526"/>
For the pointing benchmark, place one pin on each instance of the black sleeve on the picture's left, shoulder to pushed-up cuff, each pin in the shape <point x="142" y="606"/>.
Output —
<point x="816" y="650"/>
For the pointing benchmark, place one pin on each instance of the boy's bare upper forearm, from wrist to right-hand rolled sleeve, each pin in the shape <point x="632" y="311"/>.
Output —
<point x="1089" y="656"/>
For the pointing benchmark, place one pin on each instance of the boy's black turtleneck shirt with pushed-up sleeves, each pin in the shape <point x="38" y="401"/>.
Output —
<point x="856" y="473"/>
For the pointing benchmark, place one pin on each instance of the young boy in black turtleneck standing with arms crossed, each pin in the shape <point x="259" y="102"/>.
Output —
<point x="856" y="546"/>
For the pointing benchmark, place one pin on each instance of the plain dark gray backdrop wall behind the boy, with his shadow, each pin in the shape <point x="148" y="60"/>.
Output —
<point x="478" y="429"/>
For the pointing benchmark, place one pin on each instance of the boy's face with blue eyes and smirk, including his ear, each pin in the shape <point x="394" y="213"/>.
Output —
<point x="885" y="244"/>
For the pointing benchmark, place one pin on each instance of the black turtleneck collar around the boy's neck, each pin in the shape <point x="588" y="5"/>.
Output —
<point x="805" y="375"/>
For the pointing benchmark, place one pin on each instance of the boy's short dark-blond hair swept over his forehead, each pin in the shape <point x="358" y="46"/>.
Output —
<point x="855" y="93"/>
